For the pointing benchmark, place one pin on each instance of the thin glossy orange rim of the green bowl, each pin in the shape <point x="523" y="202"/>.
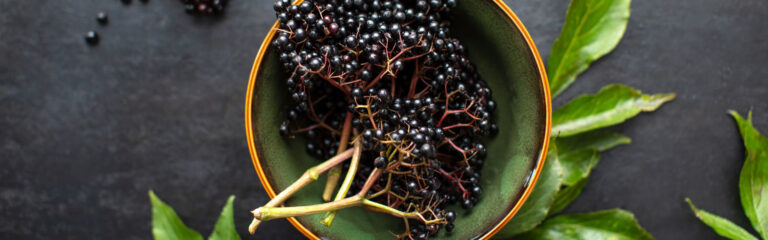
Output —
<point x="539" y="165"/>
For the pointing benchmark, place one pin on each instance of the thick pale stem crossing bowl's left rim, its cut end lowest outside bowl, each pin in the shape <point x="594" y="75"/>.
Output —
<point x="308" y="177"/>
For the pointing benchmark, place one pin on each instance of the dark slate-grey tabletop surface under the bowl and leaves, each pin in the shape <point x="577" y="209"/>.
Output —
<point x="85" y="131"/>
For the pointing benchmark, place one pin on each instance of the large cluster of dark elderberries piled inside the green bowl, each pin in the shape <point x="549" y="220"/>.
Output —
<point x="416" y="102"/>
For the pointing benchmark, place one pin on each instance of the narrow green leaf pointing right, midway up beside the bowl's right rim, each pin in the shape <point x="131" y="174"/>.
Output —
<point x="612" y="105"/>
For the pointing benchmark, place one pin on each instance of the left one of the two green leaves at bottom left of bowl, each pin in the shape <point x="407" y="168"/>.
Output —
<point x="166" y="225"/>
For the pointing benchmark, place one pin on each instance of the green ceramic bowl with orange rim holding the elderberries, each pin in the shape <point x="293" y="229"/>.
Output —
<point x="506" y="58"/>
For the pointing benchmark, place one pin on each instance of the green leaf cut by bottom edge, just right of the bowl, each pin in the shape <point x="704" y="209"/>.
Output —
<point x="615" y="224"/>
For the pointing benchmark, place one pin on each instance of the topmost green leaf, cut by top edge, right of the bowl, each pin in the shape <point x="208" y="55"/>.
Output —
<point x="592" y="29"/>
